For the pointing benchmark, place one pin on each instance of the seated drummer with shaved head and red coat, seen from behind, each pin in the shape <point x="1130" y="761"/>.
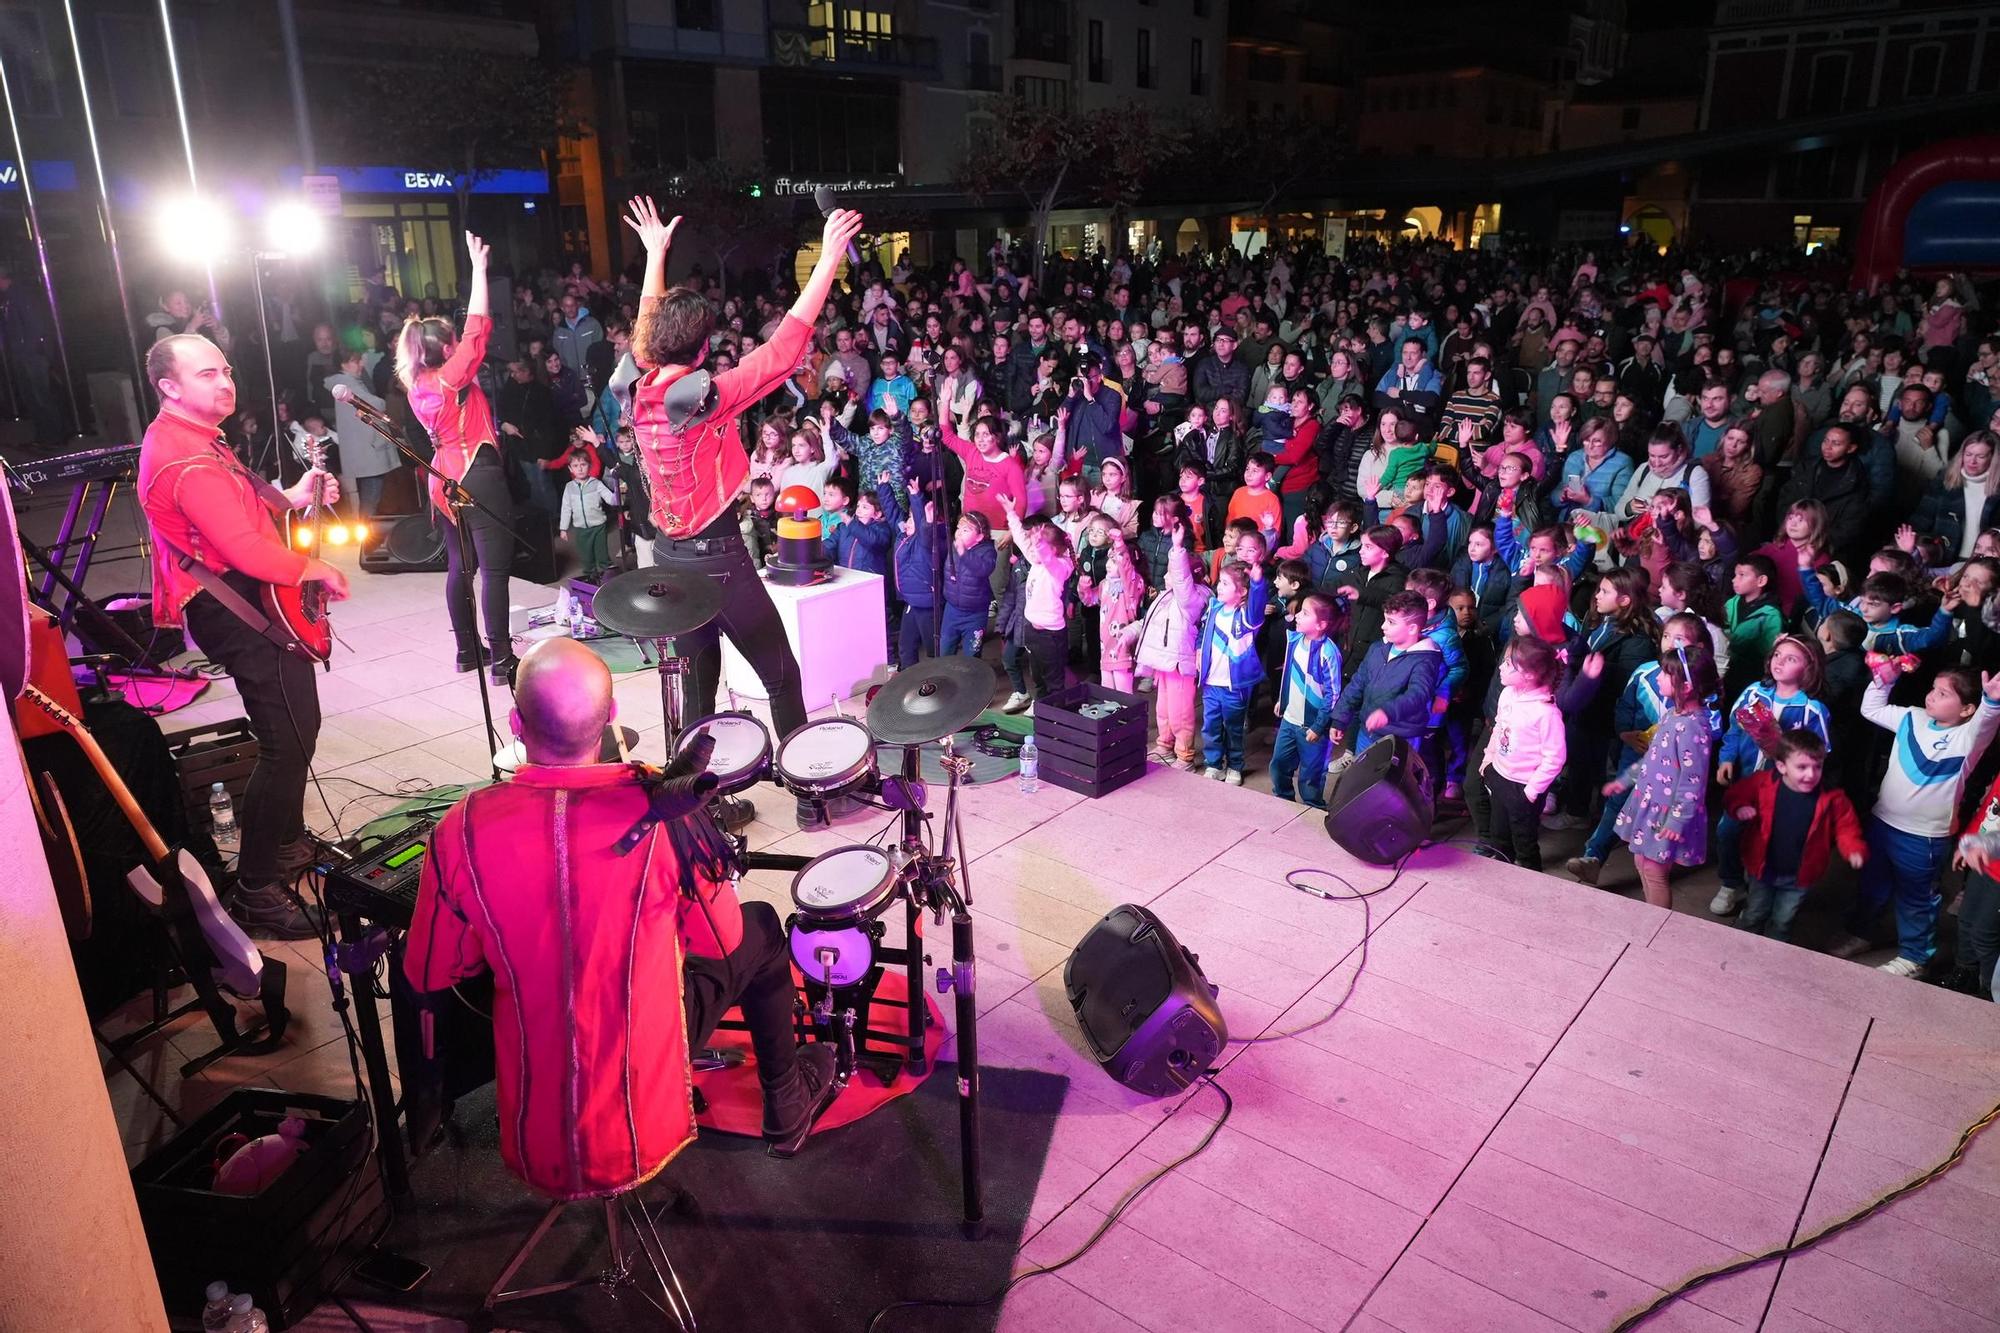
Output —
<point x="511" y="860"/>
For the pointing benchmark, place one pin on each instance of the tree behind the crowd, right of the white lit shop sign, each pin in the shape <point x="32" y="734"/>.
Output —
<point x="1053" y="157"/>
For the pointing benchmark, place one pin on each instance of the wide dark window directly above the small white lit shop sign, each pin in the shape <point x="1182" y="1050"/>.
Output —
<point x="831" y="127"/>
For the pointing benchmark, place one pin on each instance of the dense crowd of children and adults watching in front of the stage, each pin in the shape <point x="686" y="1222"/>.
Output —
<point x="1609" y="539"/>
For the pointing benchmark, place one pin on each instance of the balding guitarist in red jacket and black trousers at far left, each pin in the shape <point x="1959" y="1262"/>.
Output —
<point x="215" y="541"/>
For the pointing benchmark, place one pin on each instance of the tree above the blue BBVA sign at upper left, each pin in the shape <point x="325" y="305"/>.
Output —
<point x="467" y="115"/>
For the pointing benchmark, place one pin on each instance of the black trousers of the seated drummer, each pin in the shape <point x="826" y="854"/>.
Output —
<point x="759" y="978"/>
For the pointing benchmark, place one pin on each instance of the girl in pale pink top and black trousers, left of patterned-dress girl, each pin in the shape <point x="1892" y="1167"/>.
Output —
<point x="1527" y="750"/>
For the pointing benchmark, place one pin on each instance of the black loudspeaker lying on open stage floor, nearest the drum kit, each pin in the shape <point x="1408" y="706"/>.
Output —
<point x="1147" y="1010"/>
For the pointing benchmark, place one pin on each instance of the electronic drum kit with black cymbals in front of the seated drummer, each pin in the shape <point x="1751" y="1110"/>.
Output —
<point x="841" y="900"/>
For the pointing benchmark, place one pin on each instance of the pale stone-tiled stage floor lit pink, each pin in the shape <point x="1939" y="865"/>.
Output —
<point x="1541" y="1106"/>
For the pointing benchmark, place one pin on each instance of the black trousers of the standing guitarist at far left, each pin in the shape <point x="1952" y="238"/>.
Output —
<point x="283" y="706"/>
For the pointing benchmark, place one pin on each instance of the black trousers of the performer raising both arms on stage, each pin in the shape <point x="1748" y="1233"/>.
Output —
<point x="747" y="617"/>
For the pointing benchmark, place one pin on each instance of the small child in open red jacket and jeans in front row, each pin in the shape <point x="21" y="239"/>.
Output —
<point x="1793" y="826"/>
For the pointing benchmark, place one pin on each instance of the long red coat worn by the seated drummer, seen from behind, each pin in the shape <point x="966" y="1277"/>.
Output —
<point x="587" y="956"/>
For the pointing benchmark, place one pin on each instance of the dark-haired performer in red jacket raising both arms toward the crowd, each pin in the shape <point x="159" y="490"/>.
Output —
<point x="685" y="421"/>
